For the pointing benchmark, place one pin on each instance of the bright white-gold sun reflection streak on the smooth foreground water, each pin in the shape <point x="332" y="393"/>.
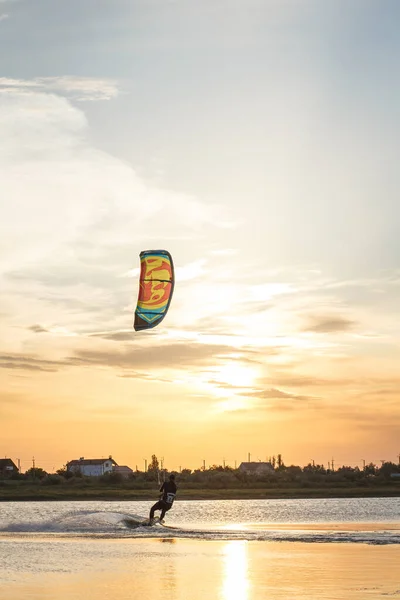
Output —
<point x="236" y="584"/>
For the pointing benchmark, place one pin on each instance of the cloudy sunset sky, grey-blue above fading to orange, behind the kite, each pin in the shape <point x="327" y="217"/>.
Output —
<point x="256" y="140"/>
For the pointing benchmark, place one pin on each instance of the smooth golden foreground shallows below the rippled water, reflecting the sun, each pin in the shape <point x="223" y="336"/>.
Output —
<point x="175" y="569"/>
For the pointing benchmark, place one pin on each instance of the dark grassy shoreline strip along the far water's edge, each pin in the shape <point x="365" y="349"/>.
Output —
<point x="129" y="495"/>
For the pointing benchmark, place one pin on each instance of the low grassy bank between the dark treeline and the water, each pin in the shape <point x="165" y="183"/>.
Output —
<point x="29" y="492"/>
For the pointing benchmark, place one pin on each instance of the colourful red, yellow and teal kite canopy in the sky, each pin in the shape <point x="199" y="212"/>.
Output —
<point x="155" y="288"/>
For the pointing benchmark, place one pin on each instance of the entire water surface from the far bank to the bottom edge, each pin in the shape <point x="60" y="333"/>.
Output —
<point x="207" y="549"/>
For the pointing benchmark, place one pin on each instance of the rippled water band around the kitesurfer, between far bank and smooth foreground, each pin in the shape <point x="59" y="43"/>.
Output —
<point x="368" y="520"/>
